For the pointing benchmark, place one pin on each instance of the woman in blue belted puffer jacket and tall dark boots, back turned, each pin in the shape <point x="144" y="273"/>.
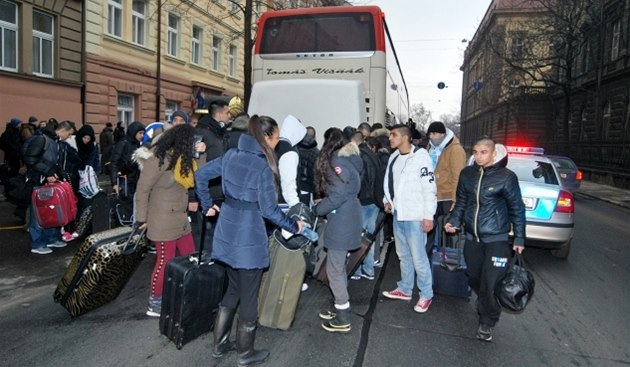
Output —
<point x="250" y="185"/>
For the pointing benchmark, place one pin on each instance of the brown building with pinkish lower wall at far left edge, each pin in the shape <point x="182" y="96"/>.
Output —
<point x="41" y="68"/>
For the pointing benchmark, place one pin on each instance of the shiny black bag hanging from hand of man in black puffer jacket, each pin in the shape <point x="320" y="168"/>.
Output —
<point x="516" y="288"/>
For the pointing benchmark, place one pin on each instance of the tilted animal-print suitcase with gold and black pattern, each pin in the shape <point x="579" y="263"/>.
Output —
<point x="100" y="269"/>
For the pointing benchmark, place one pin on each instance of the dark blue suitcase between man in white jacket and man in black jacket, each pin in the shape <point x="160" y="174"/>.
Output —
<point x="448" y="265"/>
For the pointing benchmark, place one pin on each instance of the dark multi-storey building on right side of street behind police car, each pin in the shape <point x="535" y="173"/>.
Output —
<point x="580" y="107"/>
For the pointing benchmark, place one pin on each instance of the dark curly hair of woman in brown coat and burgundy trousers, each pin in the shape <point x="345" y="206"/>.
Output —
<point x="176" y="142"/>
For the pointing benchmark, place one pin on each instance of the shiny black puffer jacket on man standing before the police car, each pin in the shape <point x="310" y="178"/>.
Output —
<point x="499" y="207"/>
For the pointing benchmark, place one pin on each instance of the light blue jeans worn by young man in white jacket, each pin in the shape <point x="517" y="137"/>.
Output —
<point x="410" y="248"/>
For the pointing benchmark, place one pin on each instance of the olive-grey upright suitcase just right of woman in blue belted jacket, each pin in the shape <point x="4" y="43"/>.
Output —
<point x="281" y="285"/>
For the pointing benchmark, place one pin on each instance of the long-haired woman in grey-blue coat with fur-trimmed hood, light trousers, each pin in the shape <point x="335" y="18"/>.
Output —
<point x="339" y="169"/>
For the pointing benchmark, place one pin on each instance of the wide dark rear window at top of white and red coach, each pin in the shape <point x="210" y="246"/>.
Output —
<point x="346" y="32"/>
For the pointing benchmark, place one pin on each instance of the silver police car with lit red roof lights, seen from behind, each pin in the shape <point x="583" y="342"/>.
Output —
<point x="549" y="206"/>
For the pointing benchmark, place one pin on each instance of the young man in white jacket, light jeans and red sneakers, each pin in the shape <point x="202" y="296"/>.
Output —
<point x="410" y="194"/>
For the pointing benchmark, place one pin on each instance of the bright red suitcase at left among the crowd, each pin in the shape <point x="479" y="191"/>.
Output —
<point x="55" y="204"/>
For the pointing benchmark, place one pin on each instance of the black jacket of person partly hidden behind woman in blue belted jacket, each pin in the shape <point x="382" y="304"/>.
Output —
<point x="216" y="140"/>
